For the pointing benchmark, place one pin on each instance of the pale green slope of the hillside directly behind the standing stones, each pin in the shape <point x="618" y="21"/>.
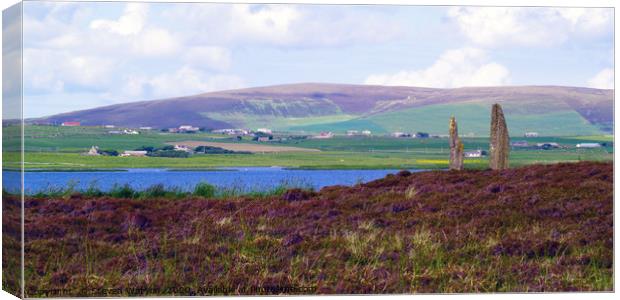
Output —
<point x="473" y="119"/>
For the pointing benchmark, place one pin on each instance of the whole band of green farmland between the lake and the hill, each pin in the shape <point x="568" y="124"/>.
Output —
<point x="58" y="148"/>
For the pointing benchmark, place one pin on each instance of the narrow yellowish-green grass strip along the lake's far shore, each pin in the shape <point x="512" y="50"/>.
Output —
<point x="321" y="160"/>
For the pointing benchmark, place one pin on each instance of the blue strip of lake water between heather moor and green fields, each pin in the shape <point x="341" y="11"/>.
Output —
<point x="246" y="179"/>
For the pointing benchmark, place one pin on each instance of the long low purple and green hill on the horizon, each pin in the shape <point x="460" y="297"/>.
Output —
<point x="313" y="107"/>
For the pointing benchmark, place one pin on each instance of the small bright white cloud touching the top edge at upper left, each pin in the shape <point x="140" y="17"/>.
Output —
<point x="131" y="22"/>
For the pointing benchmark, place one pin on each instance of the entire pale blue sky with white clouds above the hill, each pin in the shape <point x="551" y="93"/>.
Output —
<point x="81" y="55"/>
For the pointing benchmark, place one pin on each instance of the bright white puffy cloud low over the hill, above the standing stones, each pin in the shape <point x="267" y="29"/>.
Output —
<point x="454" y="68"/>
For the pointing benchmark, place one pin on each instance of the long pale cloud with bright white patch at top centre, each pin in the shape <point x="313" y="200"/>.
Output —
<point x="282" y="25"/>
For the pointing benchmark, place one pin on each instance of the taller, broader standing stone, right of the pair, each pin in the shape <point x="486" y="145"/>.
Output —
<point x="499" y="144"/>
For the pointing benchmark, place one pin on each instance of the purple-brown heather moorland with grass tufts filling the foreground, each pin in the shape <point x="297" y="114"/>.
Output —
<point x="530" y="229"/>
